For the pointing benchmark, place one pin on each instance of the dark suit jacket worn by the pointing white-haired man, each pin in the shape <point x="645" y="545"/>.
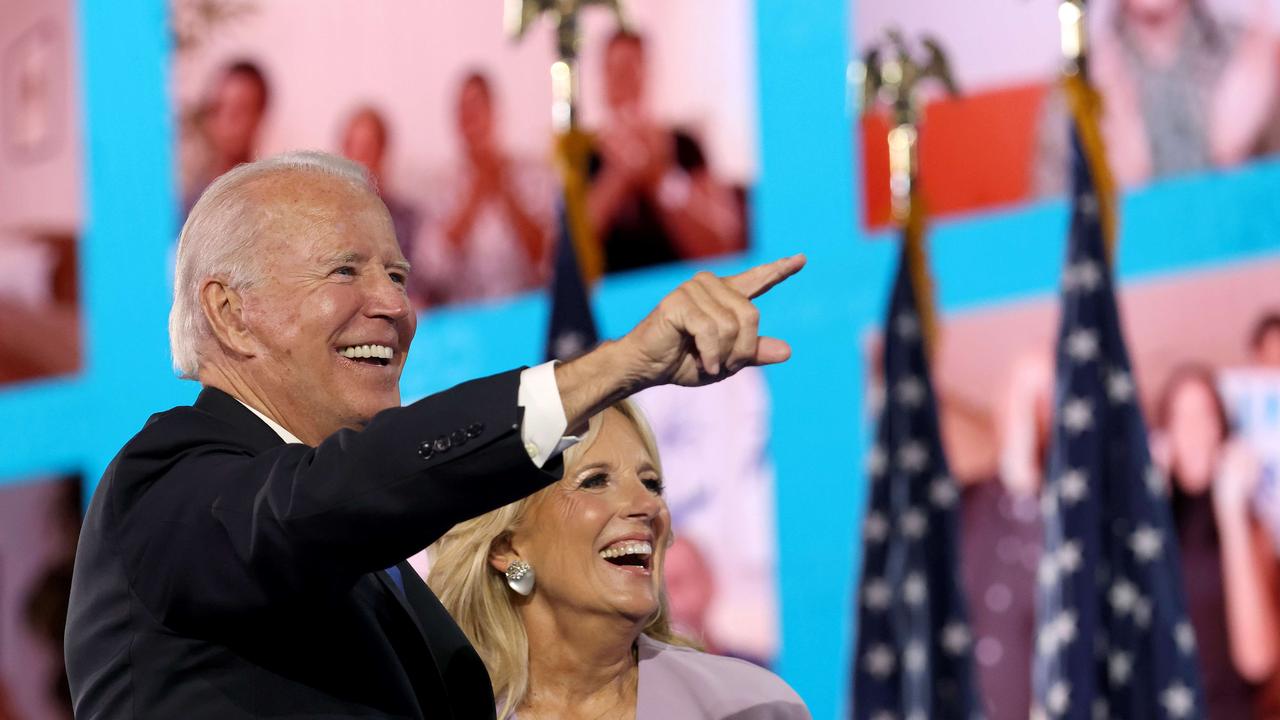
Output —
<point x="225" y="575"/>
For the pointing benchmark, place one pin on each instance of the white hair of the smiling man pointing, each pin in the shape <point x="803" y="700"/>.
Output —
<point x="218" y="241"/>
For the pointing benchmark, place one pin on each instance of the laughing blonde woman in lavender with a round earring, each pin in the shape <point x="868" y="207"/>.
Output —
<point x="564" y="596"/>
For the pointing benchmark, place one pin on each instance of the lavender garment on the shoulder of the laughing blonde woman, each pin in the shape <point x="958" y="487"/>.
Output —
<point x="676" y="681"/>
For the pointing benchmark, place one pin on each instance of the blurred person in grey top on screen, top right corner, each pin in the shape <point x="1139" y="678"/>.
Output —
<point x="1182" y="93"/>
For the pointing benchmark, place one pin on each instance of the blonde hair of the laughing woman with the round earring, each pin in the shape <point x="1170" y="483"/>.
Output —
<point x="478" y="596"/>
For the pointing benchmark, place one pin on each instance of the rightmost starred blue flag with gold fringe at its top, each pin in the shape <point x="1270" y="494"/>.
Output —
<point x="1113" y="635"/>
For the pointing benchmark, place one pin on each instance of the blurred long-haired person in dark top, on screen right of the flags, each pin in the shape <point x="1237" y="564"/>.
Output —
<point x="1228" y="564"/>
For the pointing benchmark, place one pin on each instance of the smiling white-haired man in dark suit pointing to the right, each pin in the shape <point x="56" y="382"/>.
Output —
<point x="244" y="557"/>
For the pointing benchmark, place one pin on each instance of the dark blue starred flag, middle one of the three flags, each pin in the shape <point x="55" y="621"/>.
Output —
<point x="913" y="651"/>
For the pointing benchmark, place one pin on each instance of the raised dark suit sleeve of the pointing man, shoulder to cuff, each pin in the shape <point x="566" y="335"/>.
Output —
<point x="213" y="532"/>
